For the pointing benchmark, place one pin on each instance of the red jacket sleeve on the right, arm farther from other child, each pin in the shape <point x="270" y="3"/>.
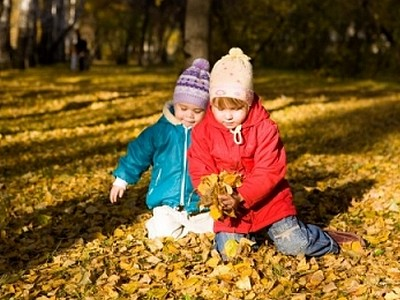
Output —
<point x="269" y="166"/>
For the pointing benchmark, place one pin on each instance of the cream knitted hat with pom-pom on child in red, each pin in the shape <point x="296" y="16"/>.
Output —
<point x="232" y="76"/>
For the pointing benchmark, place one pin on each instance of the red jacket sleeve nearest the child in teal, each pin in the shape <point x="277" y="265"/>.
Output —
<point x="200" y="161"/>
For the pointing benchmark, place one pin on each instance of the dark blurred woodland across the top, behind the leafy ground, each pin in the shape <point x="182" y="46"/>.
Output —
<point x="346" y="38"/>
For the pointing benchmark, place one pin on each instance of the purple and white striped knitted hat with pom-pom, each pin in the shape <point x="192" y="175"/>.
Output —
<point x="193" y="84"/>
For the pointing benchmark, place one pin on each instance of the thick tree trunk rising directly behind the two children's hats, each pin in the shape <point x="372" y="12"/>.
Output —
<point x="196" y="36"/>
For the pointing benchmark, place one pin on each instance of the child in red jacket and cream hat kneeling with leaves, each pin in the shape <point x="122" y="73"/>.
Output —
<point x="237" y="135"/>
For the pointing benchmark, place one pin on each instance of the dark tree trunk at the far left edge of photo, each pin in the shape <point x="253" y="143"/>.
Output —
<point x="5" y="46"/>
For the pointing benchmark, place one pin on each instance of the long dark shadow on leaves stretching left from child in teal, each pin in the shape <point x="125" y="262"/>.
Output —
<point x="34" y="238"/>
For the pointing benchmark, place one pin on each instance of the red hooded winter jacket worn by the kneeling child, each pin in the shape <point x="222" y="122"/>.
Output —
<point x="261" y="159"/>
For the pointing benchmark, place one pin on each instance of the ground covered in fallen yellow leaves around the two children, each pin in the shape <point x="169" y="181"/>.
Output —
<point x="61" y="134"/>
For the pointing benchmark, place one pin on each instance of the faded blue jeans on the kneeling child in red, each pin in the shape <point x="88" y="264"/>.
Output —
<point x="290" y="236"/>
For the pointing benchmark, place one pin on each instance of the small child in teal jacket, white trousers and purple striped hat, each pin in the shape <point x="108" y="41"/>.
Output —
<point x="163" y="148"/>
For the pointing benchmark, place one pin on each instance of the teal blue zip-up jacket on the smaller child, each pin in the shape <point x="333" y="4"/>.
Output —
<point x="163" y="147"/>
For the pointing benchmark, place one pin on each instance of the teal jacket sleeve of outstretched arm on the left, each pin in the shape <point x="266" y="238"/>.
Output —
<point x="138" y="157"/>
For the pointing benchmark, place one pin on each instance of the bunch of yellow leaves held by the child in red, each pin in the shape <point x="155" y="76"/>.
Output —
<point x="213" y="185"/>
